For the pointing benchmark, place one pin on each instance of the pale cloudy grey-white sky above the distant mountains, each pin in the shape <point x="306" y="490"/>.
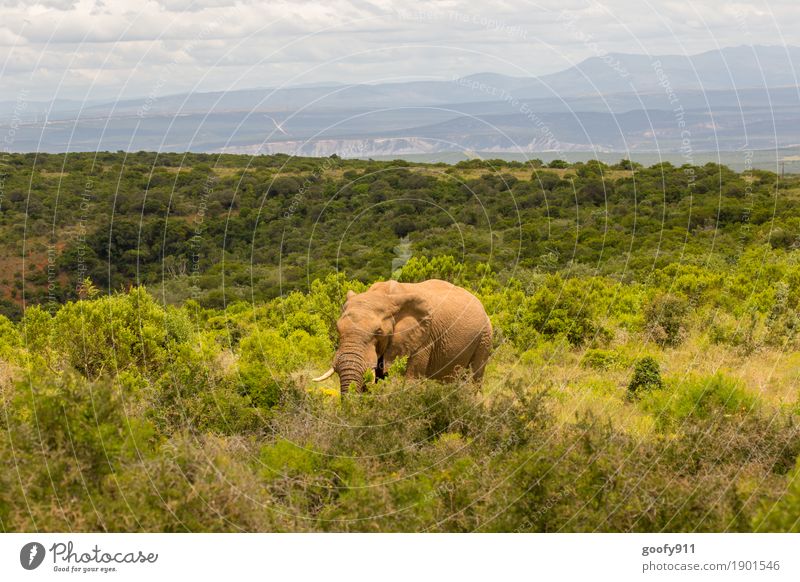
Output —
<point x="101" y="50"/>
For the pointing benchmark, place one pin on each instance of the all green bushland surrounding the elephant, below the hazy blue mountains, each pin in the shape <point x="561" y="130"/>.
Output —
<point x="644" y="376"/>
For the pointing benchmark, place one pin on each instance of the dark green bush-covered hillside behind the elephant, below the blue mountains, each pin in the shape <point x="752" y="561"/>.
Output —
<point x="189" y="225"/>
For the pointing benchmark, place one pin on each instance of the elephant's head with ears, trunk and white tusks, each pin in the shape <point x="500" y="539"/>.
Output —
<point x="385" y="316"/>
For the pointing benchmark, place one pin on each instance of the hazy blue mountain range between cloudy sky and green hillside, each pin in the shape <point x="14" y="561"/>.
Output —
<point x="745" y="97"/>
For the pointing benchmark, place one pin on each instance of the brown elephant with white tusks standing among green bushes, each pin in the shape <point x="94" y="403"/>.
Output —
<point x="440" y="327"/>
